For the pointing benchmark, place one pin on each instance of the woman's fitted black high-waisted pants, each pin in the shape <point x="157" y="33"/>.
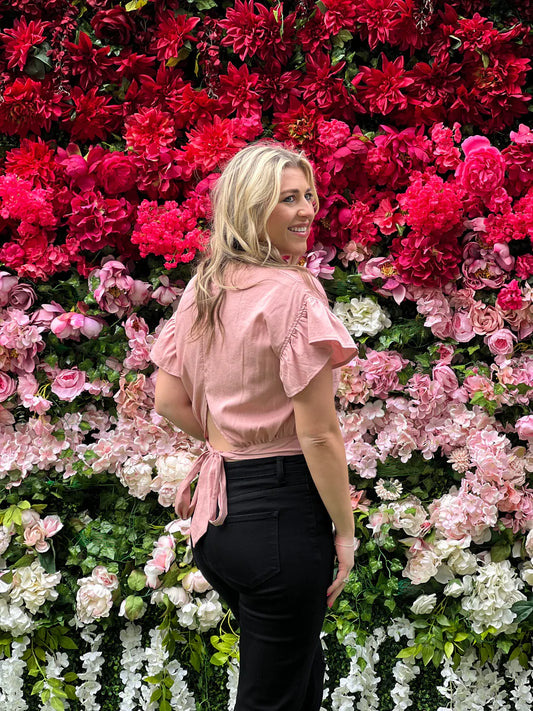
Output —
<point x="272" y="561"/>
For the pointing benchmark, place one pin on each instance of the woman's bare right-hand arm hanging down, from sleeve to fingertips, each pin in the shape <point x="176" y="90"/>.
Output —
<point x="321" y="440"/>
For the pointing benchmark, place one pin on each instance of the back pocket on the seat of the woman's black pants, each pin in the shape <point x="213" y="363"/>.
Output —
<point x="244" y="550"/>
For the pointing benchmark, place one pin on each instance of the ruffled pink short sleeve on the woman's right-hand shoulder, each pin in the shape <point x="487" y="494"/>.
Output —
<point x="315" y="337"/>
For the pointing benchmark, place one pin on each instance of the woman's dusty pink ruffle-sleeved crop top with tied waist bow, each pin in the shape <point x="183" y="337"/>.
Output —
<point x="278" y="334"/>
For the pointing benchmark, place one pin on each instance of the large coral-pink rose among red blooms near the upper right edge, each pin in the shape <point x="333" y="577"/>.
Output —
<point x="483" y="170"/>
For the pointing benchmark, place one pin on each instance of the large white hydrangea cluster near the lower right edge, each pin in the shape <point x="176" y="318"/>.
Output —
<point x="495" y="589"/>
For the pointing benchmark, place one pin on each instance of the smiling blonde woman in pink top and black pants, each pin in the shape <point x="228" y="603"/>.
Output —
<point x="246" y="363"/>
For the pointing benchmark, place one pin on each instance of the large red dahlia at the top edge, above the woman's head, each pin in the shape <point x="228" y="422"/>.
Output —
<point x="267" y="33"/>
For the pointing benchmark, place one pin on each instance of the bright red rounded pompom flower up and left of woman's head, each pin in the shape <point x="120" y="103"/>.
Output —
<point x="148" y="131"/>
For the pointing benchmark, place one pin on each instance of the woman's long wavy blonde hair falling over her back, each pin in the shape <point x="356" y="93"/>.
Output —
<point x="243" y="199"/>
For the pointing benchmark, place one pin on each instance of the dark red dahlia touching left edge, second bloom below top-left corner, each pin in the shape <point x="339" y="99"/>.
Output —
<point x="28" y="106"/>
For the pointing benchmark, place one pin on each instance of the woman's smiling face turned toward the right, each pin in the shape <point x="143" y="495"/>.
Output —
<point x="289" y="222"/>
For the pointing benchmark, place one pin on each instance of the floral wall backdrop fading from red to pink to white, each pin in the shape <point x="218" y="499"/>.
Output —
<point x="115" y="119"/>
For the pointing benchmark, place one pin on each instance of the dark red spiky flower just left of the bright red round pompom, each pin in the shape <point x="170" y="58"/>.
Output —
<point x="91" y="116"/>
